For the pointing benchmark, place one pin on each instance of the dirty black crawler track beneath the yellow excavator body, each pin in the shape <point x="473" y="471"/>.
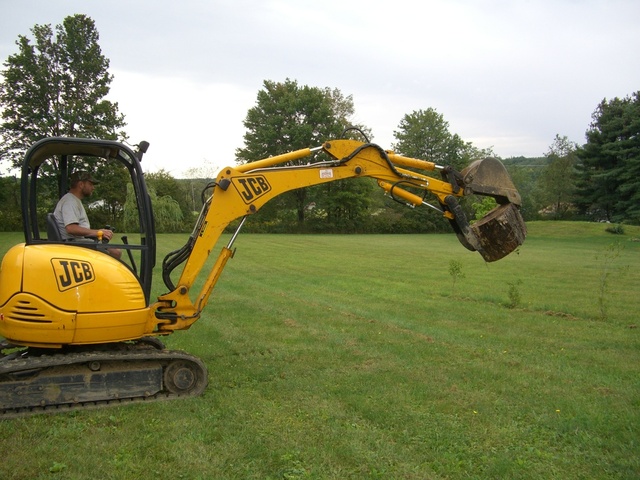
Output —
<point x="45" y="381"/>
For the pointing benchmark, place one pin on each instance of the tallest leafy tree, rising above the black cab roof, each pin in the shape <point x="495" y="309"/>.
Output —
<point x="56" y="86"/>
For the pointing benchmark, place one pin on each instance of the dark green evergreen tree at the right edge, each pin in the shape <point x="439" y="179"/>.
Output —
<point x="609" y="182"/>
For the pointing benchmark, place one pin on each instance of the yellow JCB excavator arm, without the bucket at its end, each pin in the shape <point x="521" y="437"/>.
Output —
<point x="243" y="190"/>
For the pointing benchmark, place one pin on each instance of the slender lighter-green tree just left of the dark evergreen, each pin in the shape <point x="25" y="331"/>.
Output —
<point x="558" y="178"/>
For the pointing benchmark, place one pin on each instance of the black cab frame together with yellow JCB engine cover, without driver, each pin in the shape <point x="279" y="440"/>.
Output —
<point x="55" y="292"/>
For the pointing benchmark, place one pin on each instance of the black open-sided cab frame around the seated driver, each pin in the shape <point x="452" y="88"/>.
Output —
<point x="46" y="169"/>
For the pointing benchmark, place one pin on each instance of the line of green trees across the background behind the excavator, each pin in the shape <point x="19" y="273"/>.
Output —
<point x="56" y="85"/>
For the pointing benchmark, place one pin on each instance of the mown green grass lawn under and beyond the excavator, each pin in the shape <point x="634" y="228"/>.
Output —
<point x="353" y="356"/>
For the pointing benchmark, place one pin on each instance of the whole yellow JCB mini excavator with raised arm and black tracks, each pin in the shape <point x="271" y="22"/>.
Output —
<point x="80" y="329"/>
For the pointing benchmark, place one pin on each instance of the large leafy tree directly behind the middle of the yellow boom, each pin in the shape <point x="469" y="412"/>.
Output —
<point x="290" y="117"/>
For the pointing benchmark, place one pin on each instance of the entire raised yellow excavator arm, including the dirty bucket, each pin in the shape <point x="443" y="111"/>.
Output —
<point x="243" y="190"/>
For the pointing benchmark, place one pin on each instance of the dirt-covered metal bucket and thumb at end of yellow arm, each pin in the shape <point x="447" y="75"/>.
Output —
<point x="502" y="230"/>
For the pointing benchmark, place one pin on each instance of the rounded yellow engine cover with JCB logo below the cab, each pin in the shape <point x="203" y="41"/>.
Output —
<point x="60" y="294"/>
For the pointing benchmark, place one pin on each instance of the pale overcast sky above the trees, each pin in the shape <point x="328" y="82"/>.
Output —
<point x="504" y="74"/>
